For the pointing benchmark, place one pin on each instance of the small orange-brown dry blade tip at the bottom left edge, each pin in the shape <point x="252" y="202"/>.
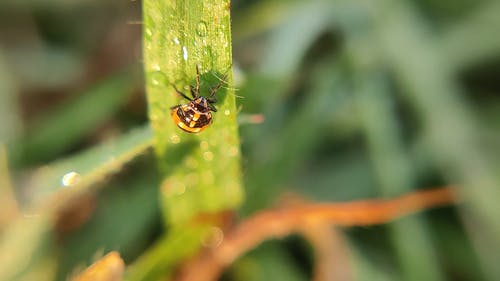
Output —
<point x="108" y="268"/>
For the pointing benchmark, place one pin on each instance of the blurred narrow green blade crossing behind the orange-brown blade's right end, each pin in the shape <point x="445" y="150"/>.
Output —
<point x="418" y="260"/>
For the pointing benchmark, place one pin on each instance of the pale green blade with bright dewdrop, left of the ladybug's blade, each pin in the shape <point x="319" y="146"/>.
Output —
<point x="27" y="243"/>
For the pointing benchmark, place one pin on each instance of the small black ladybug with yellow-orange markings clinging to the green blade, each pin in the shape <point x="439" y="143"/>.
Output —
<point x="196" y="115"/>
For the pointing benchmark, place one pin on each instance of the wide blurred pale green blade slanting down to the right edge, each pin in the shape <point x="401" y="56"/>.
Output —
<point x="448" y="122"/>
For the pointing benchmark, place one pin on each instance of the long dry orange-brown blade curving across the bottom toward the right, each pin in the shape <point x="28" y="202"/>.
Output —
<point x="209" y="264"/>
